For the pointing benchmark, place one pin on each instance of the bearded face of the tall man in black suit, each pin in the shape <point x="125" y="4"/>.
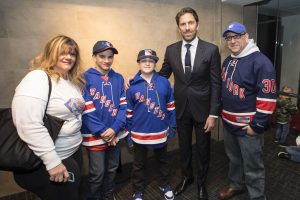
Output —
<point x="187" y="27"/>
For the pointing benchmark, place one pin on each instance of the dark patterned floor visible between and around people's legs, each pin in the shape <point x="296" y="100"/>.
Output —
<point x="282" y="176"/>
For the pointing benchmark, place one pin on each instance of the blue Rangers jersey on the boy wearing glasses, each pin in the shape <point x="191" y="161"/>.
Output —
<point x="150" y="111"/>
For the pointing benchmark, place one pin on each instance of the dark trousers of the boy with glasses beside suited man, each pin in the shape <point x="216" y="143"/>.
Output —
<point x="139" y="166"/>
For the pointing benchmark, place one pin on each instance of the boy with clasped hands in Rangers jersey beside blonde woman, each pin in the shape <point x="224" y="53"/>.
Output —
<point x="103" y="118"/>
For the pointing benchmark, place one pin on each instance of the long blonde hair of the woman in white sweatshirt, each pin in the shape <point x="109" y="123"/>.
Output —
<point x="47" y="60"/>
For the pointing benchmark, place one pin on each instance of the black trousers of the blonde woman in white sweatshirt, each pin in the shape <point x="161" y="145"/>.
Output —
<point x="38" y="181"/>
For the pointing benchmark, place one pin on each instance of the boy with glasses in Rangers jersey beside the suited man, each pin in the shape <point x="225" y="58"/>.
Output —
<point x="150" y="121"/>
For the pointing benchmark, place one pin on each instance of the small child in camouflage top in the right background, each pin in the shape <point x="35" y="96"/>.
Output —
<point x="285" y="108"/>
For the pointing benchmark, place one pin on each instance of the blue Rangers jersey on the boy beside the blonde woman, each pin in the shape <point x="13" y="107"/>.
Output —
<point x="105" y="107"/>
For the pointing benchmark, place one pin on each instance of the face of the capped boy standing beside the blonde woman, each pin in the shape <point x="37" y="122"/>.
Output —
<point x="104" y="60"/>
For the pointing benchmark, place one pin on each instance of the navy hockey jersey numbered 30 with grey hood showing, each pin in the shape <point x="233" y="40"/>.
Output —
<point x="248" y="90"/>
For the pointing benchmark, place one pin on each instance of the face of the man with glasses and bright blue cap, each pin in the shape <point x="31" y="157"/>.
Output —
<point x="236" y="42"/>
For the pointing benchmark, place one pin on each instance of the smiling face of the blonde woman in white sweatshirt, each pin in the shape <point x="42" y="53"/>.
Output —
<point x="66" y="61"/>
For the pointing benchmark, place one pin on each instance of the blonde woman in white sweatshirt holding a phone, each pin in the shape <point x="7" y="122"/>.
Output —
<point x="59" y="176"/>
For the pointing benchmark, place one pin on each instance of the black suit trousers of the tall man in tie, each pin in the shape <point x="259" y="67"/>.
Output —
<point x="185" y="127"/>
